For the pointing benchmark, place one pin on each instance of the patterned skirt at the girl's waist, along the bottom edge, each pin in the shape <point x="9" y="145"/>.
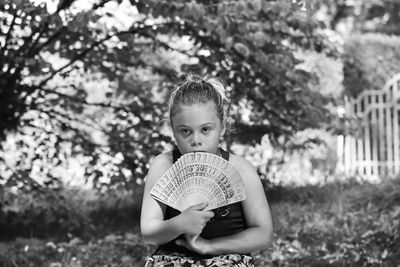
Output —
<point x="175" y="260"/>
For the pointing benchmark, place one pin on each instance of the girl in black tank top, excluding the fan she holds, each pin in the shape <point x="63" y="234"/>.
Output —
<point x="195" y="237"/>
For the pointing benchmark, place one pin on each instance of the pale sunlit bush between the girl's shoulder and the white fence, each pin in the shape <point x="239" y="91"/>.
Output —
<point x="307" y="157"/>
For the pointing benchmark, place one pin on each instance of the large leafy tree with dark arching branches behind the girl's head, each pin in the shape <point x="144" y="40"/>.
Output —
<point x="48" y="57"/>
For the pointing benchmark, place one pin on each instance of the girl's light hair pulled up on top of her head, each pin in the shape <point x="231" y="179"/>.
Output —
<point x="196" y="89"/>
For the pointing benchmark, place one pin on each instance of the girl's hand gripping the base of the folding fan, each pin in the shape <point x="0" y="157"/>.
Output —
<point x="193" y="219"/>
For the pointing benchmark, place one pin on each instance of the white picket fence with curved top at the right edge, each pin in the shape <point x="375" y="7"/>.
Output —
<point x="372" y="147"/>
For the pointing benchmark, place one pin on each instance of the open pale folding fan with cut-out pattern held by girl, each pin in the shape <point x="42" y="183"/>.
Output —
<point x="199" y="177"/>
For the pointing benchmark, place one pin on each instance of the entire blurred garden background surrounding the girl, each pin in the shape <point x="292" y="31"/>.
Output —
<point x="314" y="89"/>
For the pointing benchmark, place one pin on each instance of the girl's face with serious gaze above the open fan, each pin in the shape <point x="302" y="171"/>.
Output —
<point x="197" y="127"/>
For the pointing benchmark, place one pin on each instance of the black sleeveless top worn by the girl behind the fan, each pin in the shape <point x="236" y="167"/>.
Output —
<point x="227" y="220"/>
